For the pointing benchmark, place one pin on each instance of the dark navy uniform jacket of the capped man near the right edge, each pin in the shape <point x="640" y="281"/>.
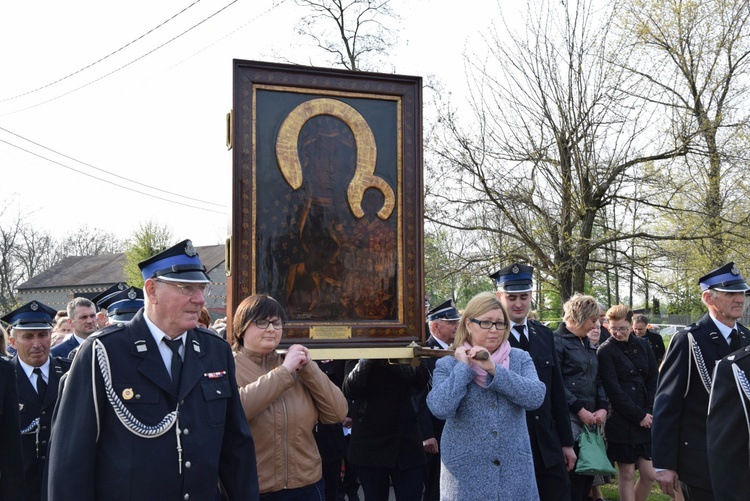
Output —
<point x="679" y="427"/>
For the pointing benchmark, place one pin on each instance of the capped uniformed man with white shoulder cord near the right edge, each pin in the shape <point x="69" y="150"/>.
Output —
<point x="681" y="404"/>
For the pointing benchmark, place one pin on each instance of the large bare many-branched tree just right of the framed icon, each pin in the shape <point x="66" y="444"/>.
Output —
<point x="558" y="136"/>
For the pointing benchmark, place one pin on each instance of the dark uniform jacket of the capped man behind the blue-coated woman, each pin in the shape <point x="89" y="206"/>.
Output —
<point x="549" y="425"/>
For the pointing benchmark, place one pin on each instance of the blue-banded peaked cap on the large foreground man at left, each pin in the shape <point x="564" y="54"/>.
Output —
<point x="179" y="263"/>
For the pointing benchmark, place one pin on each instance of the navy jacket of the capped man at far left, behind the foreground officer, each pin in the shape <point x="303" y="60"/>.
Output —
<point x="30" y="407"/>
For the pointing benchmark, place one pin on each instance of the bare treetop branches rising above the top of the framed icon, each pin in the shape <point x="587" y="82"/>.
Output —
<point x="354" y="33"/>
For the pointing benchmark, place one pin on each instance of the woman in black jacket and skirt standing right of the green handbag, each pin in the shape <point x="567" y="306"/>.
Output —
<point x="628" y="369"/>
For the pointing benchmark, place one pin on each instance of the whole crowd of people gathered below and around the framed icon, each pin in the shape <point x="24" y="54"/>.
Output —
<point x="142" y="400"/>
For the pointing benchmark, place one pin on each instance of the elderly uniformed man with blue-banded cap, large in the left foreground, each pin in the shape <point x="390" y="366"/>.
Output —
<point x="151" y="408"/>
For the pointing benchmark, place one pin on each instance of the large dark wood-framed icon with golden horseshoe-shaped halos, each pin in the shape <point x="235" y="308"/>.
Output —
<point x="327" y="202"/>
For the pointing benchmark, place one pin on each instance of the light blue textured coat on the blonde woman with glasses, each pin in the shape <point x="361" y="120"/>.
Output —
<point x="485" y="449"/>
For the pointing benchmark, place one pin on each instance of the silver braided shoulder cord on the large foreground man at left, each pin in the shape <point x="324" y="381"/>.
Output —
<point x="130" y="422"/>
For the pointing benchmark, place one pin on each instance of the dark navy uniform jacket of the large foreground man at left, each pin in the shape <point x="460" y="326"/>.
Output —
<point x="94" y="456"/>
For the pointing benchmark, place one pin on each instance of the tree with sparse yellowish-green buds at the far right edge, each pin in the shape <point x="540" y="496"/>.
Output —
<point x="692" y="59"/>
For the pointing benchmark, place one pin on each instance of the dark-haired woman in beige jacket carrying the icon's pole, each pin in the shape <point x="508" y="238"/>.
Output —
<point x="284" y="398"/>
